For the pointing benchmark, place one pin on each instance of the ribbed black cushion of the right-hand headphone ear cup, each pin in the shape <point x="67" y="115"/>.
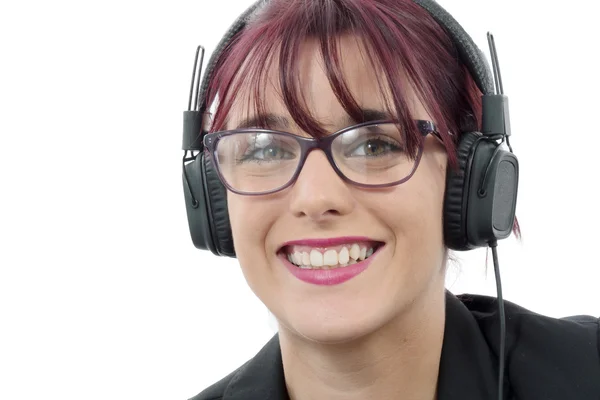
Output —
<point x="457" y="182"/>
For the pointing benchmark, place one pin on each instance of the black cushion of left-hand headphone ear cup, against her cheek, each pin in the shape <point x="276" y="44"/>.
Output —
<point x="216" y="195"/>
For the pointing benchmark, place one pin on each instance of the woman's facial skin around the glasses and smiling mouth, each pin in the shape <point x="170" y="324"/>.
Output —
<point x="406" y="218"/>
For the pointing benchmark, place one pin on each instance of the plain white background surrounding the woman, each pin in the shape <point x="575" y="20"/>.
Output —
<point x="102" y="294"/>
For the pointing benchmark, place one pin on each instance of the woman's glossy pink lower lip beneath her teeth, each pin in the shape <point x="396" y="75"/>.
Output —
<point x="328" y="277"/>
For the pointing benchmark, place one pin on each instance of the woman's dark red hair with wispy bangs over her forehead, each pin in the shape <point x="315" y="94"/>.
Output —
<point x="397" y="39"/>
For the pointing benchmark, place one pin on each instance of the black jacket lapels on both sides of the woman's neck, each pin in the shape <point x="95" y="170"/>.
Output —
<point x="468" y="367"/>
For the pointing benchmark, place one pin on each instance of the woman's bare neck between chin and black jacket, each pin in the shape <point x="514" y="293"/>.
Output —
<point x="400" y="360"/>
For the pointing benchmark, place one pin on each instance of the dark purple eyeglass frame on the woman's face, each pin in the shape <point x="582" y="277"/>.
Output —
<point x="307" y="145"/>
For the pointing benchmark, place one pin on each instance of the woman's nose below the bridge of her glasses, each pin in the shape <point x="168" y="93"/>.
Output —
<point x="319" y="193"/>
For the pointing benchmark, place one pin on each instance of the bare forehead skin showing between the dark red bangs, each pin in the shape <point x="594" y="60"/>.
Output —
<point x="363" y="79"/>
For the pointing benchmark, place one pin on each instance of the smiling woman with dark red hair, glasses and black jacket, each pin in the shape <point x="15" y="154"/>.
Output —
<point x="347" y="245"/>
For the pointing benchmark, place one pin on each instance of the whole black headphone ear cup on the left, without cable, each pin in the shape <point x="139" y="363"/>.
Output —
<point x="206" y="206"/>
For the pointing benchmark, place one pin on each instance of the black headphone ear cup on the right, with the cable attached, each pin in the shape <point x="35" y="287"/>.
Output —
<point x="480" y="200"/>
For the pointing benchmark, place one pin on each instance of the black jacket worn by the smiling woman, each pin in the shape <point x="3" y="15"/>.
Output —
<point x="547" y="358"/>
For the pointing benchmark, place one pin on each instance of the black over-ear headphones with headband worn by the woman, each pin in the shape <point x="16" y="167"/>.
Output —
<point x="481" y="194"/>
